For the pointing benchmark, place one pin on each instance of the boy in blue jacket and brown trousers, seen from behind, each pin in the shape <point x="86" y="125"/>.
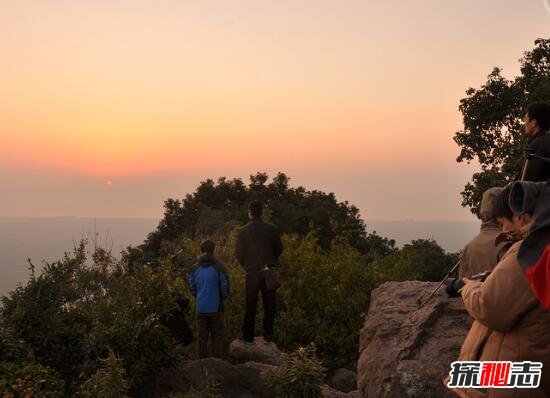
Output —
<point x="209" y="283"/>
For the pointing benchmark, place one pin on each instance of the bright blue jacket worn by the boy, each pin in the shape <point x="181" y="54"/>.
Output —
<point x="209" y="283"/>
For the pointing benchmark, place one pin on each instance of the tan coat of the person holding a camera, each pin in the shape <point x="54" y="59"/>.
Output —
<point x="510" y="325"/>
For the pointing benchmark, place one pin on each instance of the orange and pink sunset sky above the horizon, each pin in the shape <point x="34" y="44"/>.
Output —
<point x="107" y="108"/>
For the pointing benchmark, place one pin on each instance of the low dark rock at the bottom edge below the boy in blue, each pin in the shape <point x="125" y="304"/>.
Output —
<point x="199" y="372"/>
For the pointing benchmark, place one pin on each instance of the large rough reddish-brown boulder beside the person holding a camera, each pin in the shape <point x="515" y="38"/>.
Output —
<point x="405" y="352"/>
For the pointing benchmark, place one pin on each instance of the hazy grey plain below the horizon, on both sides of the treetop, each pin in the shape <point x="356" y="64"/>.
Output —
<point x="48" y="238"/>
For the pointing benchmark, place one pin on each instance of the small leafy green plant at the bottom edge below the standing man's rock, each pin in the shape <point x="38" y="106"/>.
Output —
<point x="301" y="375"/>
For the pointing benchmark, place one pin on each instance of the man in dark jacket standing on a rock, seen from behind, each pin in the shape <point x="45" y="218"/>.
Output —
<point x="258" y="247"/>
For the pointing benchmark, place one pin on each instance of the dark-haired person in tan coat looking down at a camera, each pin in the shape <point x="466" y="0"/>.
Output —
<point x="510" y="321"/>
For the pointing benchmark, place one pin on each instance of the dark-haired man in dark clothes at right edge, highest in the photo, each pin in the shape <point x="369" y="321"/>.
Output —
<point x="537" y="127"/>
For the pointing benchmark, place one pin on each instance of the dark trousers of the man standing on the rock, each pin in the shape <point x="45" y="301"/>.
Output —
<point x="255" y="283"/>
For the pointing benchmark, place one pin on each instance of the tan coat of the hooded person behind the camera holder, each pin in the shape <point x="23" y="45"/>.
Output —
<point x="481" y="254"/>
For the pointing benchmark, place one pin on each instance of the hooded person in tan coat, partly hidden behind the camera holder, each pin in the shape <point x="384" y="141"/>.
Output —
<point x="481" y="253"/>
